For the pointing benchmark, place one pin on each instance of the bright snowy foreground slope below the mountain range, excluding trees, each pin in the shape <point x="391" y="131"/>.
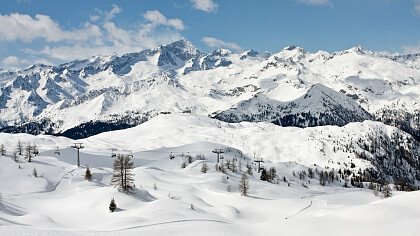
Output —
<point x="61" y="202"/>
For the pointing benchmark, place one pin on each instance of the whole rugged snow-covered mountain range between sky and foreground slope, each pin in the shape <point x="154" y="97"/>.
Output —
<point x="299" y="88"/>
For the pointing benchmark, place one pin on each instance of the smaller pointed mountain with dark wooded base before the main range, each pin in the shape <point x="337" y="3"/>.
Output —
<point x="319" y="106"/>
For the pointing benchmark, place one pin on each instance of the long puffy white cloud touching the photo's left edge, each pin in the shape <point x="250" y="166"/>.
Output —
<point x="24" y="27"/>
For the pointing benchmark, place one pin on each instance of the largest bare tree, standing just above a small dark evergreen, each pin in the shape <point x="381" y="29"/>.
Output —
<point x="122" y="177"/>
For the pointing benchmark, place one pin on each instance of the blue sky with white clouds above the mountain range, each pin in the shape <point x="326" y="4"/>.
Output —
<point x="55" y="31"/>
